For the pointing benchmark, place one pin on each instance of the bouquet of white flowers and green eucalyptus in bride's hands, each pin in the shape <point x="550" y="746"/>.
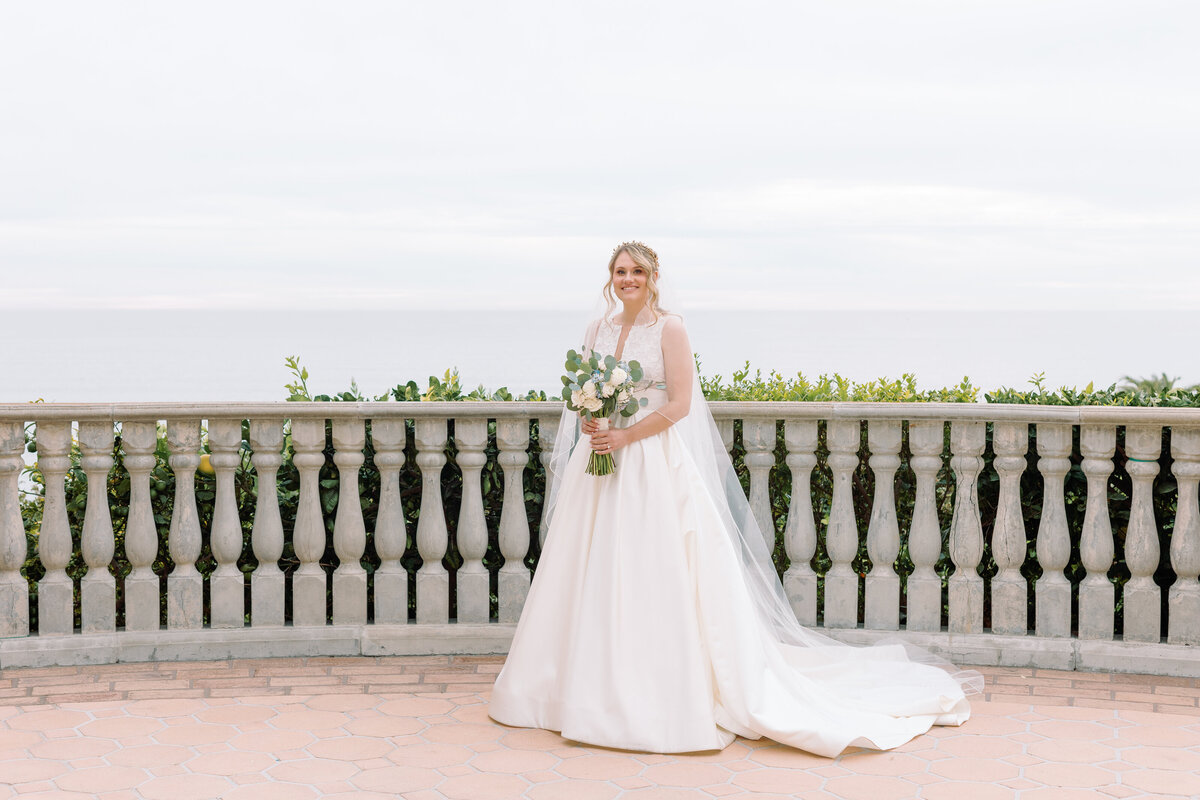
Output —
<point x="597" y="388"/>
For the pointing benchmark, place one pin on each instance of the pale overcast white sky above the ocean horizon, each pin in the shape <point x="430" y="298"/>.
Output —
<point x="890" y="154"/>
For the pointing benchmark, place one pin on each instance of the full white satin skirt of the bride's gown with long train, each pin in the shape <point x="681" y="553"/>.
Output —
<point x="639" y="633"/>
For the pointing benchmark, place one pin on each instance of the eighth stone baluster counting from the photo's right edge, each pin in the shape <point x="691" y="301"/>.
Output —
<point x="883" y="590"/>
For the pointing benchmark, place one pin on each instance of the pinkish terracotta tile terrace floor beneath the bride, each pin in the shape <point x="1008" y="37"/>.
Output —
<point x="418" y="729"/>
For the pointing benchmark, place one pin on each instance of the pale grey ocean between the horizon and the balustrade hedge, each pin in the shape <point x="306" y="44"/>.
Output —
<point x="239" y="356"/>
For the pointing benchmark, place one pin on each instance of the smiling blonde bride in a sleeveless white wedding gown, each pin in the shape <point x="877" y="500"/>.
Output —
<point x="657" y="621"/>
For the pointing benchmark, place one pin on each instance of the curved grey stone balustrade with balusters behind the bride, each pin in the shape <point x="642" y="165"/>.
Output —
<point x="272" y="612"/>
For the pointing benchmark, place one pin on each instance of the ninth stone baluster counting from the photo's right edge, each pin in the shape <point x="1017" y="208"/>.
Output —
<point x="842" y="537"/>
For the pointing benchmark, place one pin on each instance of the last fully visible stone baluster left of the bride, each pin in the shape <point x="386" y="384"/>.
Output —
<point x="513" y="437"/>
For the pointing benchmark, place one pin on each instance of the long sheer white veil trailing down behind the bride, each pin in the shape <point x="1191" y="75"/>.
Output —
<point x="703" y="438"/>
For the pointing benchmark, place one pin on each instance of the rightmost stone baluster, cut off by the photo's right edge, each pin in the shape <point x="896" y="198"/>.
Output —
<point x="1184" y="599"/>
